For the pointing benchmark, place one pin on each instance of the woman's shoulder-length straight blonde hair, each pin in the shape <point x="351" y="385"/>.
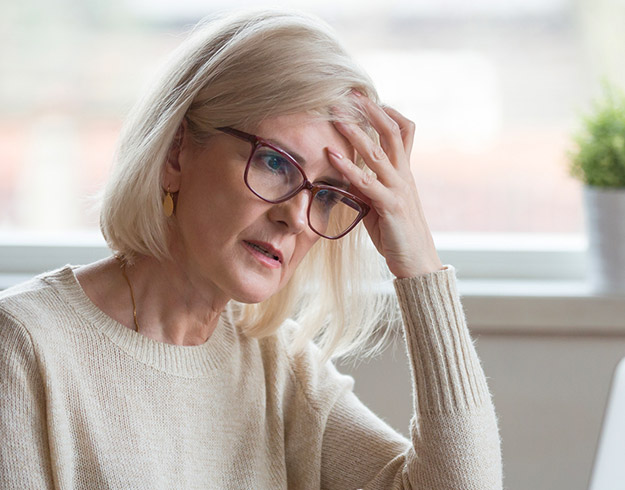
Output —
<point x="237" y="71"/>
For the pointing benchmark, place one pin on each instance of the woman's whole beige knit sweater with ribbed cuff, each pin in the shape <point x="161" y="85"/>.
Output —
<point x="88" y="403"/>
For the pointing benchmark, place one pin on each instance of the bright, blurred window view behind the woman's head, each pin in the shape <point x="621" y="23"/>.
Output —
<point x="495" y="88"/>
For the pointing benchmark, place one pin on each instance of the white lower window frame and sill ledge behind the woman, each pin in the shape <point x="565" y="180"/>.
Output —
<point x="509" y="283"/>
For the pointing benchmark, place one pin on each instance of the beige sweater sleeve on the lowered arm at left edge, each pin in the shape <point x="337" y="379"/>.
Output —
<point x="24" y="452"/>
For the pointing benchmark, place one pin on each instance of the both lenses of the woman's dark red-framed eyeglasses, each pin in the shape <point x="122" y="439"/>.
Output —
<point x="274" y="176"/>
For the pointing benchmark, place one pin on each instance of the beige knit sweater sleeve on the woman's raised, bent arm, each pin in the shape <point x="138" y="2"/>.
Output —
<point x="454" y="436"/>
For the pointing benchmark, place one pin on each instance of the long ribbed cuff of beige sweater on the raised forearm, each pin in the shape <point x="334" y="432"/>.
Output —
<point x="446" y="370"/>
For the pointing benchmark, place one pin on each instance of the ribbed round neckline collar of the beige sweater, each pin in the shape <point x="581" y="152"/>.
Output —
<point x="186" y="361"/>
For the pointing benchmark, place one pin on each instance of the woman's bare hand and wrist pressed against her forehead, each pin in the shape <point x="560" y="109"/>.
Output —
<point x="396" y="222"/>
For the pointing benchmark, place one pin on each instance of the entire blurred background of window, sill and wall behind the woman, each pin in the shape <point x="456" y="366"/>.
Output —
<point x="496" y="88"/>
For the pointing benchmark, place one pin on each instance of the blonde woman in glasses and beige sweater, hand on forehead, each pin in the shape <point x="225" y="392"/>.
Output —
<point x="242" y="183"/>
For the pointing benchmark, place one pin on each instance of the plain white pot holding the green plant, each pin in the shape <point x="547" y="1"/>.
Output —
<point x="605" y="222"/>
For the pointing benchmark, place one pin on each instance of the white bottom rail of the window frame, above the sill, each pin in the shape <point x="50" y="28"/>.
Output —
<point x="483" y="256"/>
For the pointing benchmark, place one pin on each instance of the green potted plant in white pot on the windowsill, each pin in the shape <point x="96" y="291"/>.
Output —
<point x="599" y="162"/>
